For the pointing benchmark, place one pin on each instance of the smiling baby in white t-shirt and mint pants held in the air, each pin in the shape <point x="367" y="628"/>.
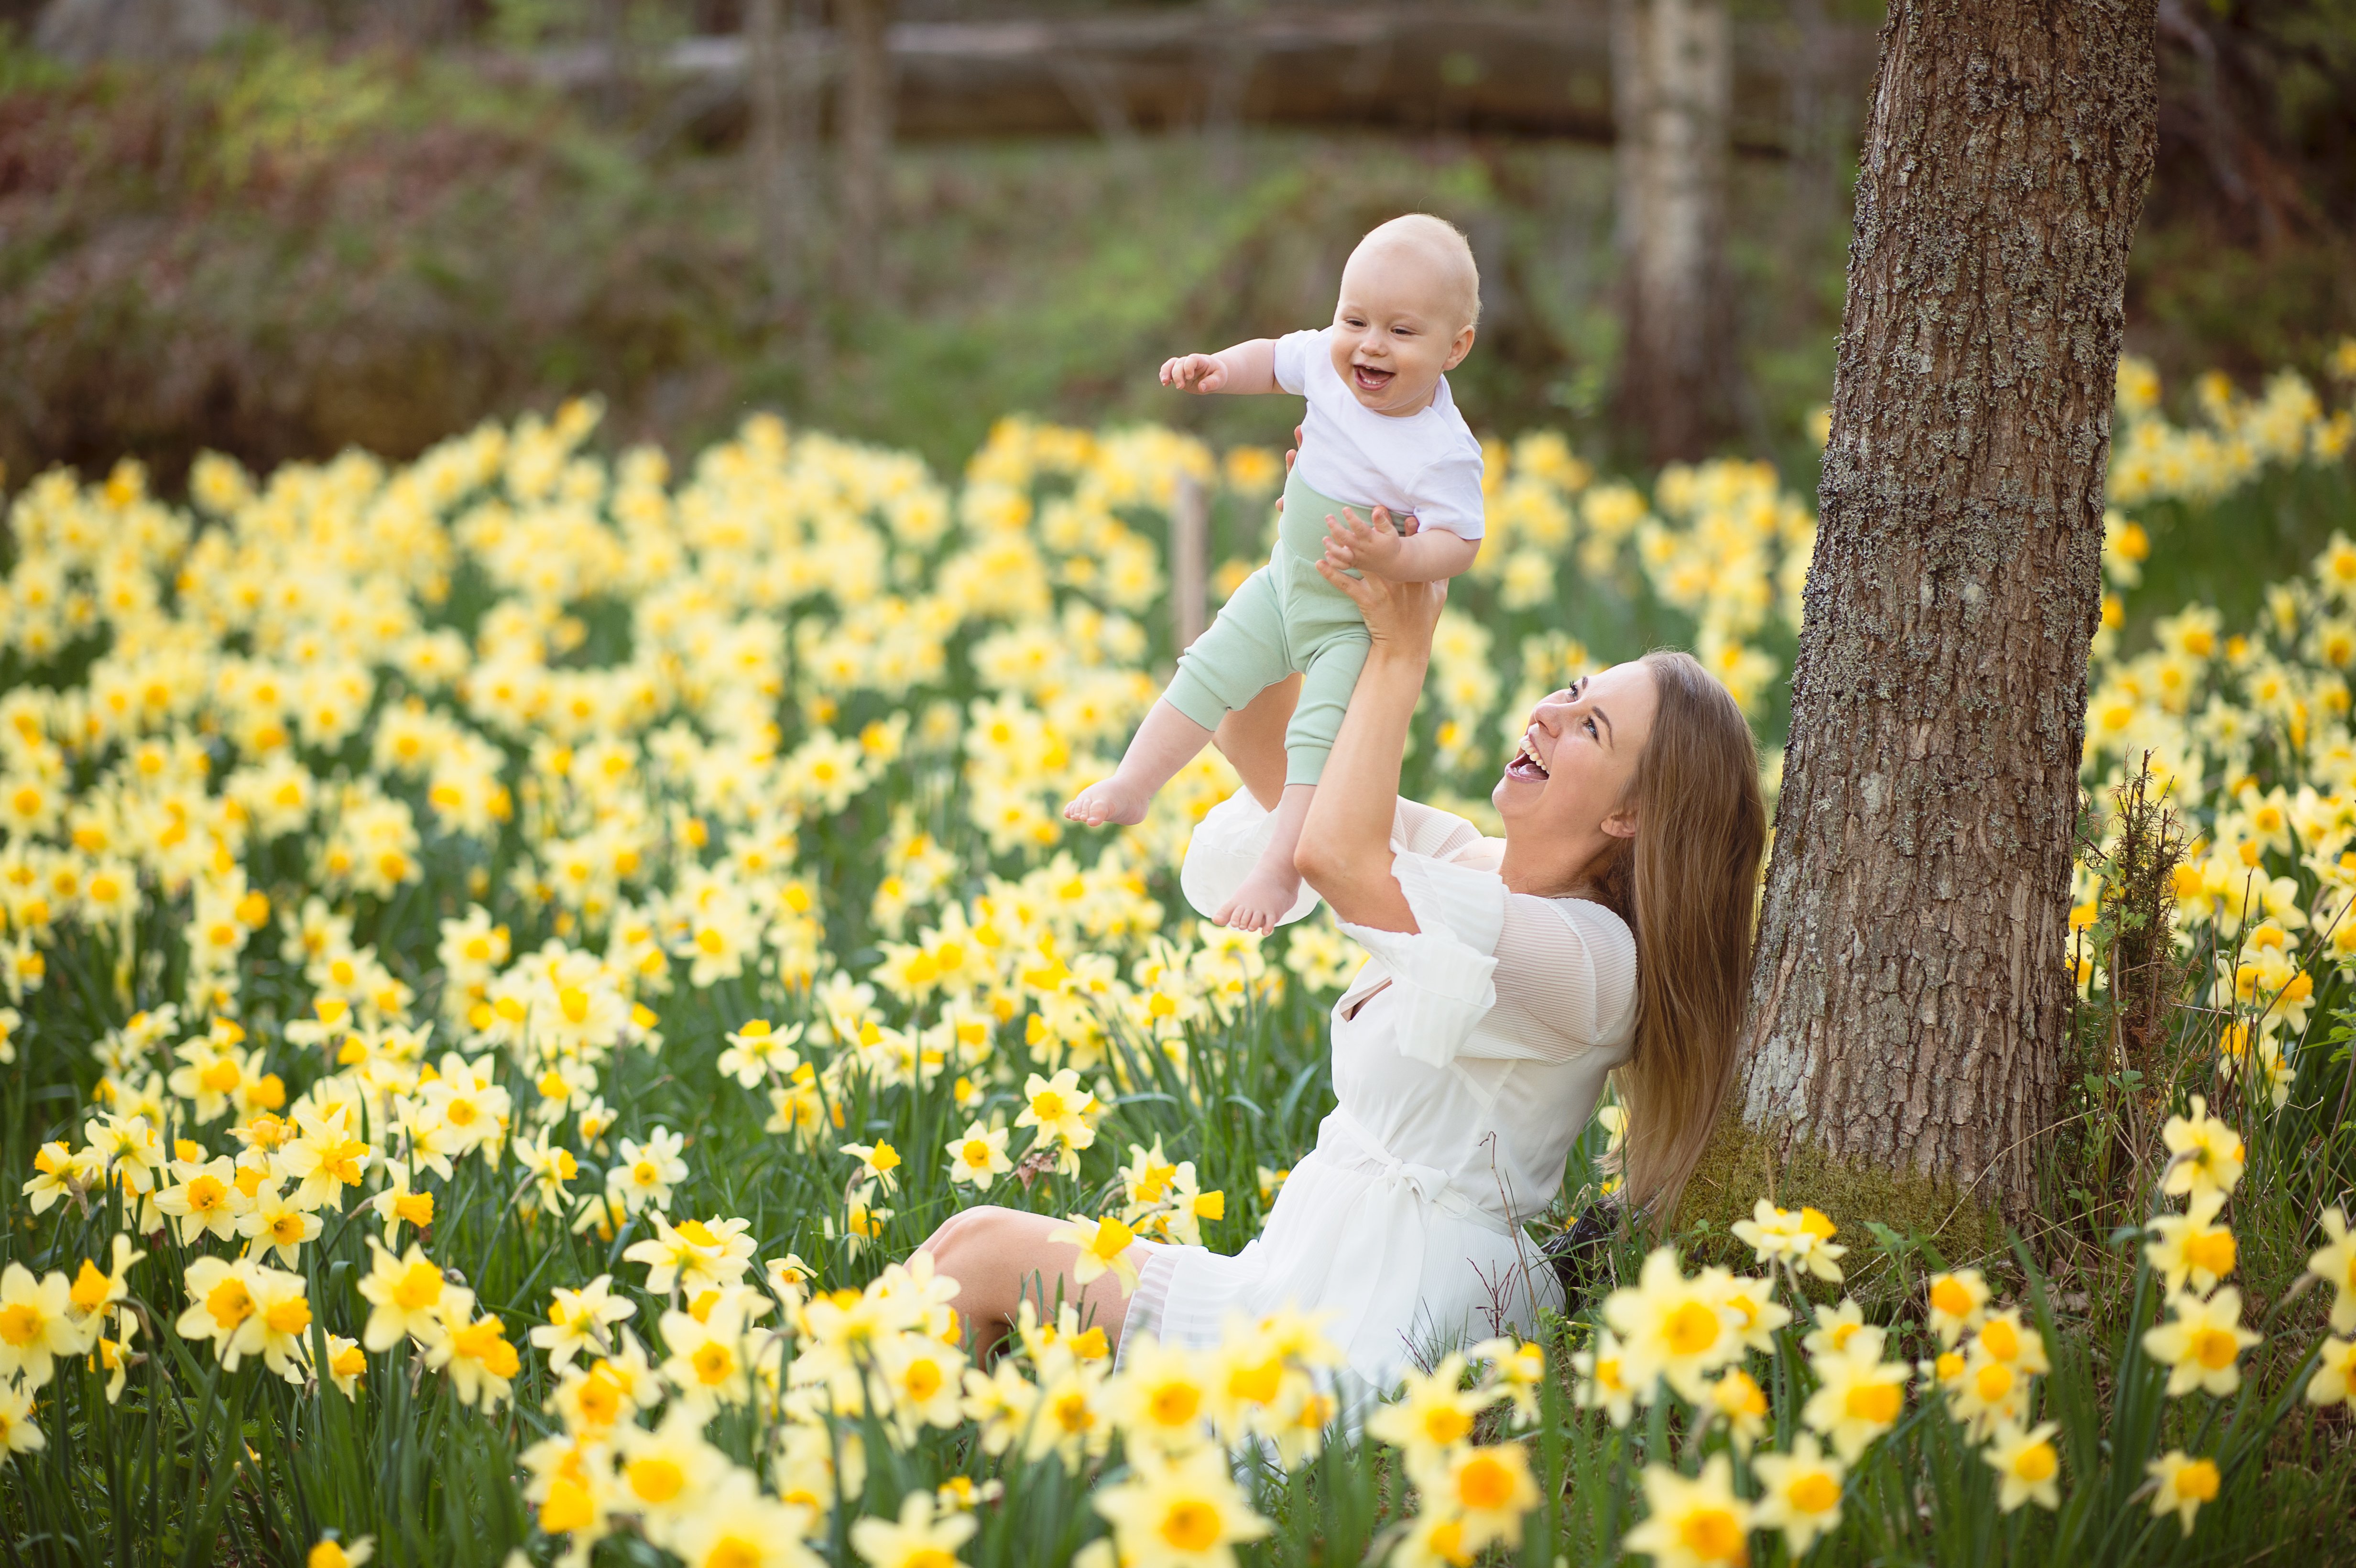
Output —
<point x="1382" y="437"/>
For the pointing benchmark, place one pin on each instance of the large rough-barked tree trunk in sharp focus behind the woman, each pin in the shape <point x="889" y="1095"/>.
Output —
<point x="1910" y="1002"/>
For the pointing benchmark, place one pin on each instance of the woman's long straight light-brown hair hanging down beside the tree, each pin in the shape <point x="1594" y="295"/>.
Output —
<point x="1688" y="889"/>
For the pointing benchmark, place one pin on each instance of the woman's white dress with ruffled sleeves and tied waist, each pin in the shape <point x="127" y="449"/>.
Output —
<point x="1467" y="1061"/>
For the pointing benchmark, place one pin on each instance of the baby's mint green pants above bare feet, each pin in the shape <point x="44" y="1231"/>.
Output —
<point x="1283" y="620"/>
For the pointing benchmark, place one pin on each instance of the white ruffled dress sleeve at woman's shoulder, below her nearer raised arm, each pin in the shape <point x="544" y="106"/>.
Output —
<point x="1445" y="969"/>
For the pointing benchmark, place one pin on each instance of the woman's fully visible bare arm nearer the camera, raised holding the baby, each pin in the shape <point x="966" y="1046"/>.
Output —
<point x="1346" y="839"/>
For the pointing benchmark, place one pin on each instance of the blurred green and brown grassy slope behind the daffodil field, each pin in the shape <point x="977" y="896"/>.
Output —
<point x="286" y="251"/>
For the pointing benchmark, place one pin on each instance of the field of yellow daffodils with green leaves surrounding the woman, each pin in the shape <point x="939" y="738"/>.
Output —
<point x="505" y="957"/>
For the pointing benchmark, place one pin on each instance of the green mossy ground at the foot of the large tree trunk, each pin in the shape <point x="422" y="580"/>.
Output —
<point x="1747" y="1164"/>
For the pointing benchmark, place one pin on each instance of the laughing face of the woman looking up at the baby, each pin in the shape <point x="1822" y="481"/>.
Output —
<point x="1577" y="762"/>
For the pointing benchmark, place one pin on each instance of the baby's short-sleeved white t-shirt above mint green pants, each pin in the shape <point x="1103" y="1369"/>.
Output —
<point x="1424" y="463"/>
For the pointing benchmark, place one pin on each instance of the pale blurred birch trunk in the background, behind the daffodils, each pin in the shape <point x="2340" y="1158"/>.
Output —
<point x="1674" y="95"/>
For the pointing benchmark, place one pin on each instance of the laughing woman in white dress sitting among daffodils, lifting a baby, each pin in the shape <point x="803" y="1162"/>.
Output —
<point x="1610" y="931"/>
